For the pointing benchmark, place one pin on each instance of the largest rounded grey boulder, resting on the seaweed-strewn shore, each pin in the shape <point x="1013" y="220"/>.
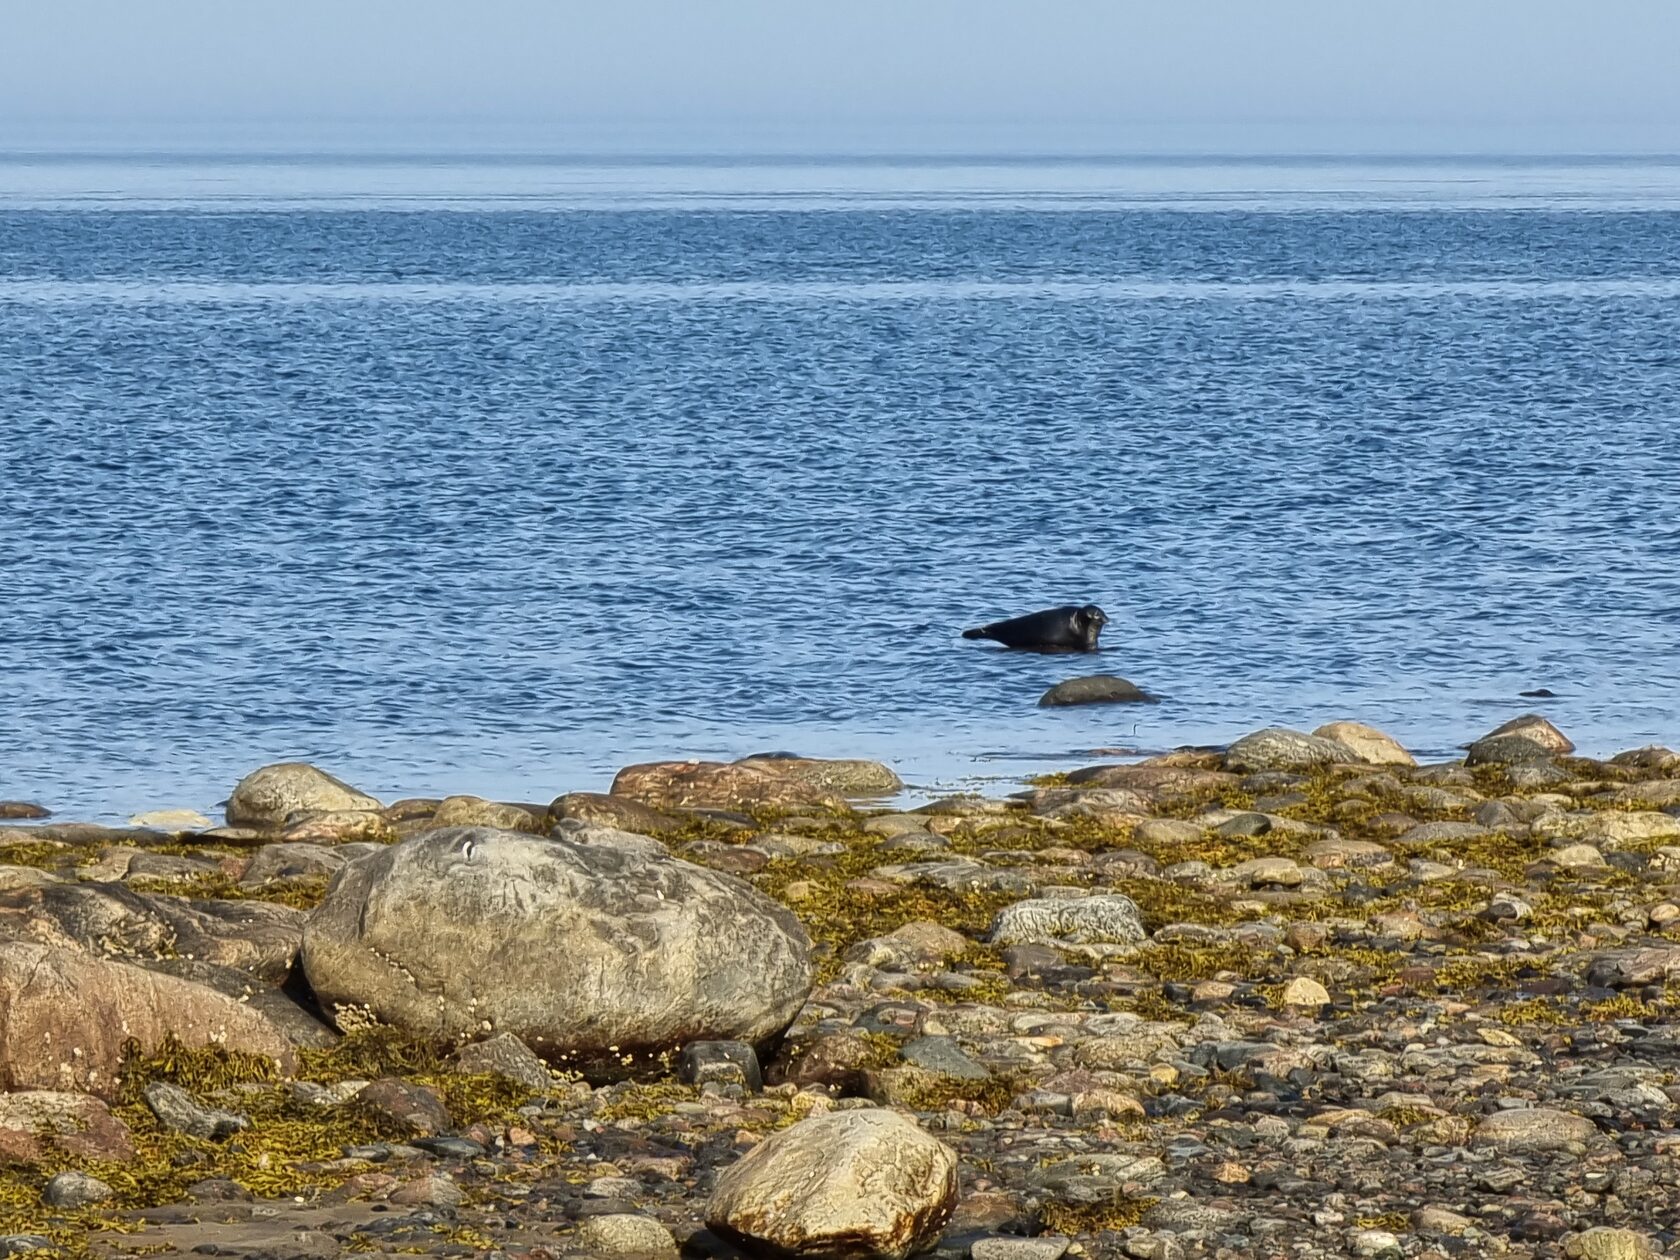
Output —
<point x="592" y="953"/>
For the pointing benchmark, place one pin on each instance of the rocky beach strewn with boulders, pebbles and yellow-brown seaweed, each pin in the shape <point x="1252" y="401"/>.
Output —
<point x="1293" y="997"/>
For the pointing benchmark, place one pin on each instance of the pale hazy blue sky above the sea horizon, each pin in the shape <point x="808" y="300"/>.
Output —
<point x="1037" y="76"/>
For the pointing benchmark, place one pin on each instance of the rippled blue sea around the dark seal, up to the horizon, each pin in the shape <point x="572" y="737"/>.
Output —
<point x="496" y="476"/>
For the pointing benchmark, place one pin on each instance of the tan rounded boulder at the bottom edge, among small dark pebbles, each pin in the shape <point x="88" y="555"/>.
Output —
<point x="848" y="1185"/>
